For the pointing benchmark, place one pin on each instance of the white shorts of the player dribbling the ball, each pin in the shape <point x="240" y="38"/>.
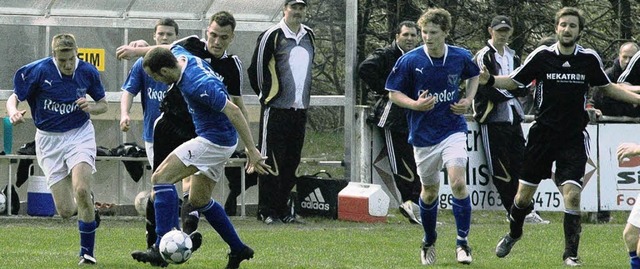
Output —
<point x="208" y="157"/>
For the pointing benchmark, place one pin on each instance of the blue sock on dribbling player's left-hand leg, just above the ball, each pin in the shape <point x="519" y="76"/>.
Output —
<point x="166" y="206"/>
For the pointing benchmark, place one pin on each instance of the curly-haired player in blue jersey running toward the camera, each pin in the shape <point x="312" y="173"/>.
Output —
<point x="426" y="81"/>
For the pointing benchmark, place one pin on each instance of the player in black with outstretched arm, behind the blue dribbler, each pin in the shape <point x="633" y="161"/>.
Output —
<point x="177" y="127"/>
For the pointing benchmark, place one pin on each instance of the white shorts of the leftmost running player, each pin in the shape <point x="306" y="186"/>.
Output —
<point x="58" y="153"/>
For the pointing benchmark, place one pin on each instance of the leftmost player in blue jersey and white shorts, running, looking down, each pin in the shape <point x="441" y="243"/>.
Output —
<point x="56" y="88"/>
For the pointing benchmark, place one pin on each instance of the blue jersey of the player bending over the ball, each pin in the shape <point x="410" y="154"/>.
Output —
<point x="206" y="97"/>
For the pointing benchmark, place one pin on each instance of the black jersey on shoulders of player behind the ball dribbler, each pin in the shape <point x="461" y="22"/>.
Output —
<point x="229" y="67"/>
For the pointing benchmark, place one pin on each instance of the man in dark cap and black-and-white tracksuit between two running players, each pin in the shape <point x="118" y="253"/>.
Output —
<point x="499" y="114"/>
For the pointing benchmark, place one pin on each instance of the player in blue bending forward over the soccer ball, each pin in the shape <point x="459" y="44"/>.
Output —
<point x="218" y="124"/>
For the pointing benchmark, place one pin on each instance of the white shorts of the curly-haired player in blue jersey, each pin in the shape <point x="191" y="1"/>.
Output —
<point x="430" y="160"/>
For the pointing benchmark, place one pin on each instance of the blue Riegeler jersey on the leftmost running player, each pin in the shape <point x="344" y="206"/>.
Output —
<point x="52" y="96"/>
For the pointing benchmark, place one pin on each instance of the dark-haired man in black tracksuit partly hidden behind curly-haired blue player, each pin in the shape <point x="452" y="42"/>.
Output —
<point x="391" y="119"/>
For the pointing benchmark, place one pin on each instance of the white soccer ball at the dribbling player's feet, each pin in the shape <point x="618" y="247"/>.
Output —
<point x="175" y="247"/>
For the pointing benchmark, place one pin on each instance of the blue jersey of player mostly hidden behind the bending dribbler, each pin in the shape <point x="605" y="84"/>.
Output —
<point x="152" y="94"/>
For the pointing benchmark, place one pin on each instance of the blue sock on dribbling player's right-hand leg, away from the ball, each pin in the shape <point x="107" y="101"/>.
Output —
<point x="216" y="216"/>
